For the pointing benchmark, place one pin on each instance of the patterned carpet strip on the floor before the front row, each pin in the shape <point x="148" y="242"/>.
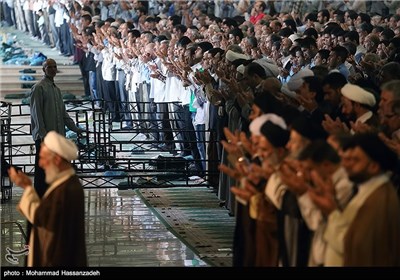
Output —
<point x="195" y="217"/>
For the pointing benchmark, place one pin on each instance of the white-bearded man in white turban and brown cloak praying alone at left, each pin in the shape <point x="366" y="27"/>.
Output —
<point x="58" y="235"/>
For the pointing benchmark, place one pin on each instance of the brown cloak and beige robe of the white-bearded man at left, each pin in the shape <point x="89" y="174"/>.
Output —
<point x="58" y="234"/>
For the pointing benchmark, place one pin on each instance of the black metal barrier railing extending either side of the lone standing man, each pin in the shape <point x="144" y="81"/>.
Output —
<point x="112" y="155"/>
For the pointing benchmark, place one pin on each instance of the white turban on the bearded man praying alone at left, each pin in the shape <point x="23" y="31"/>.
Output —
<point x="60" y="145"/>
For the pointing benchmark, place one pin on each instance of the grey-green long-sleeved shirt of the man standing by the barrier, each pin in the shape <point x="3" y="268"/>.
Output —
<point x="48" y="110"/>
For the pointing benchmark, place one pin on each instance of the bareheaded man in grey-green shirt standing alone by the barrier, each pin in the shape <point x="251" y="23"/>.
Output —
<point x="47" y="113"/>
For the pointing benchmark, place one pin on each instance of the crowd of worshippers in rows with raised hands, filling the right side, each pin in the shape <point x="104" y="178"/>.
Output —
<point x="298" y="112"/>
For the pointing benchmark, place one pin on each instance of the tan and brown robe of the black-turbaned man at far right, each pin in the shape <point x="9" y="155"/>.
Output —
<point x="367" y="232"/>
